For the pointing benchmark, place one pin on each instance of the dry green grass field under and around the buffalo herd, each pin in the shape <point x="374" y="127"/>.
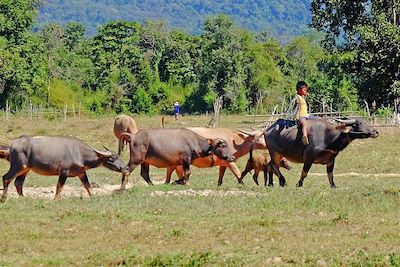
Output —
<point x="203" y="225"/>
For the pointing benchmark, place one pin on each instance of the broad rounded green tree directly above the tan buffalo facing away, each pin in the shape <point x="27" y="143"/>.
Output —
<point x="117" y="60"/>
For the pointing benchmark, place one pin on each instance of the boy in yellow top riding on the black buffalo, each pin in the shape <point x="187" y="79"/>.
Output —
<point x="298" y="109"/>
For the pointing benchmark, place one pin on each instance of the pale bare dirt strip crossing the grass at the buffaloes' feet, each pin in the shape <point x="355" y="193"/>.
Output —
<point x="108" y="189"/>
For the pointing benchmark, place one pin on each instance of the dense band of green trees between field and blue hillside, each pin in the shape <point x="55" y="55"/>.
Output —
<point x="143" y="67"/>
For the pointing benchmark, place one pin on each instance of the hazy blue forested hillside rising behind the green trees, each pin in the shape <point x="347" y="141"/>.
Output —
<point x="281" y="17"/>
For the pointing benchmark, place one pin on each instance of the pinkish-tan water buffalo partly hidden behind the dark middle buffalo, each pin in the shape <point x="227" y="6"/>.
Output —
<point x="239" y="143"/>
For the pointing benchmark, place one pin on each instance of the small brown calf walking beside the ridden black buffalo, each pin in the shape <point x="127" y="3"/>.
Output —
<point x="263" y="163"/>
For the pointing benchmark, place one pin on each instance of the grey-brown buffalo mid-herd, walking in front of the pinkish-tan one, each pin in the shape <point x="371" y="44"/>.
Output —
<point x="165" y="148"/>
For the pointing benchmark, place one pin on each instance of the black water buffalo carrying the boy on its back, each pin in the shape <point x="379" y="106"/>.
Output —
<point x="326" y="141"/>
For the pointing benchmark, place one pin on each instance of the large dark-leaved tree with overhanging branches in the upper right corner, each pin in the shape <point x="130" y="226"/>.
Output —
<point x="370" y="29"/>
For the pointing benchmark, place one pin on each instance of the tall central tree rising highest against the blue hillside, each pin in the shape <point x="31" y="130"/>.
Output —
<point x="223" y="73"/>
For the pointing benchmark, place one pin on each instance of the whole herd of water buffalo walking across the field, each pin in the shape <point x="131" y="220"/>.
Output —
<point x="177" y="149"/>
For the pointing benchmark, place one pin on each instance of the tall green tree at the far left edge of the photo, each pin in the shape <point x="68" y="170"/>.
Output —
<point x="21" y="64"/>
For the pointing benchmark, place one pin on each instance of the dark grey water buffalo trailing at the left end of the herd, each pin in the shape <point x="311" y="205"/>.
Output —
<point x="56" y="155"/>
